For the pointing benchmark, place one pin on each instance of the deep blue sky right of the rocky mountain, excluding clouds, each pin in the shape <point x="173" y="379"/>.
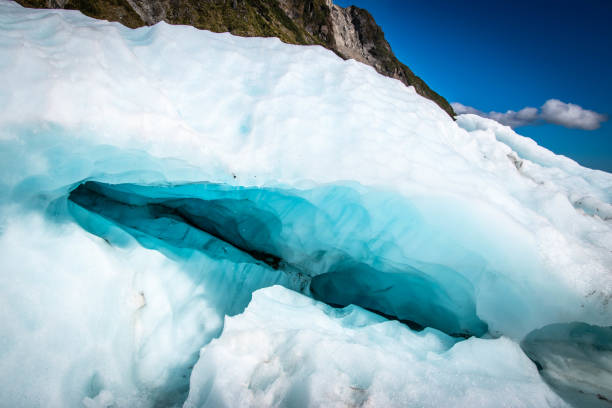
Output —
<point x="499" y="56"/>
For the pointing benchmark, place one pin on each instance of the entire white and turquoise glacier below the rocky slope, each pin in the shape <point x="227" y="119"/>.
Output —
<point x="197" y="219"/>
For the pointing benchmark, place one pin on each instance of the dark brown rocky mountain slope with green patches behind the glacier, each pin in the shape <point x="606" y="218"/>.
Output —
<point x="350" y="32"/>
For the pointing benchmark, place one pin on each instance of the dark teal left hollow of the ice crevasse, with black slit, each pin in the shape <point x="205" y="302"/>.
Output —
<point x="237" y="223"/>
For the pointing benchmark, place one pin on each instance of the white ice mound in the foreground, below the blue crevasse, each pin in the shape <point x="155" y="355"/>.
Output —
<point x="289" y="350"/>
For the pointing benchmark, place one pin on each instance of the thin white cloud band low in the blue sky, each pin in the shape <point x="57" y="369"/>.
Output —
<point x="553" y="111"/>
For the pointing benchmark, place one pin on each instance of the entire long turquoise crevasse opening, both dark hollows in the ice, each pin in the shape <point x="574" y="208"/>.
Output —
<point x="266" y="226"/>
